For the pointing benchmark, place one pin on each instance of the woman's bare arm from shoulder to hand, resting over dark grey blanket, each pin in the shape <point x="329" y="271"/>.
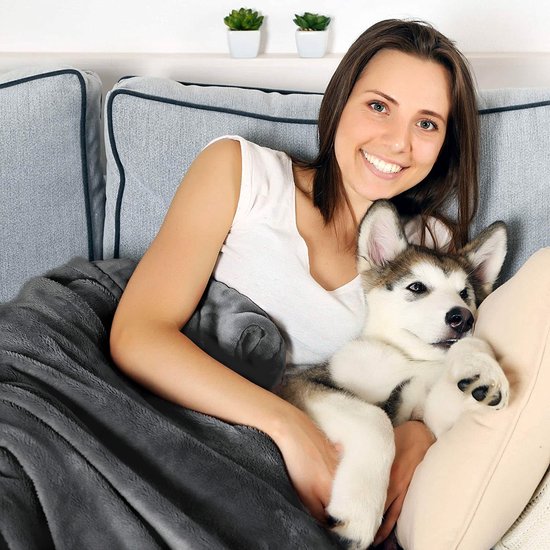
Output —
<point x="146" y="342"/>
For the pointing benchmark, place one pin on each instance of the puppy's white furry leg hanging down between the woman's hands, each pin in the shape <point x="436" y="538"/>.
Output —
<point x="361" y="481"/>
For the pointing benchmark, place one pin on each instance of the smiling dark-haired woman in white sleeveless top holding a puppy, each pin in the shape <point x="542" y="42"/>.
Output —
<point x="397" y="117"/>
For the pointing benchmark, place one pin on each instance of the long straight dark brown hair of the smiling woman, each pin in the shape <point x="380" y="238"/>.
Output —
<point x="454" y="173"/>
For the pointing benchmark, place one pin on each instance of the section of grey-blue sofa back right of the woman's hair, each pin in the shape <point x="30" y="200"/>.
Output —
<point x="514" y="176"/>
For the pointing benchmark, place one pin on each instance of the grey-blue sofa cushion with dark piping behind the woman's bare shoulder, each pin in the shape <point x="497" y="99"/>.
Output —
<point x="155" y="128"/>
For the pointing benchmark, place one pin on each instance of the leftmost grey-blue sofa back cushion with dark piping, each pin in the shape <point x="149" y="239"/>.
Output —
<point x="51" y="181"/>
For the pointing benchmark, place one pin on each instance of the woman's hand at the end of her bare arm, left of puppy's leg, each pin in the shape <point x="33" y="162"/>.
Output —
<point x="310" y="458"/>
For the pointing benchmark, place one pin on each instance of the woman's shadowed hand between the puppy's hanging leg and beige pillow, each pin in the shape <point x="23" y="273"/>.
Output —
<point x="412" y="441"/>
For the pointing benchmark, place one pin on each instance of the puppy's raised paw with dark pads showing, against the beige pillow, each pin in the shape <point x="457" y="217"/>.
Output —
<point x="477" y="373"/>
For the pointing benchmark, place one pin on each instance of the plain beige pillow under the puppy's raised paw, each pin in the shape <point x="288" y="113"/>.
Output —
<point x="477" y="478"/>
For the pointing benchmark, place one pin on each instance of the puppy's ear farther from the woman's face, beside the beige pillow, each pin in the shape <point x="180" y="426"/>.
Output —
<point x="486" y="253"/>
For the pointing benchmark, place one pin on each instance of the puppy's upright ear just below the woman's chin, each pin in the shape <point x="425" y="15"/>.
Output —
<point x="381" y="236"/>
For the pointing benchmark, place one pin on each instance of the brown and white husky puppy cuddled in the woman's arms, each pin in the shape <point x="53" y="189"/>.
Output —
<point x="412" y="360"/>
